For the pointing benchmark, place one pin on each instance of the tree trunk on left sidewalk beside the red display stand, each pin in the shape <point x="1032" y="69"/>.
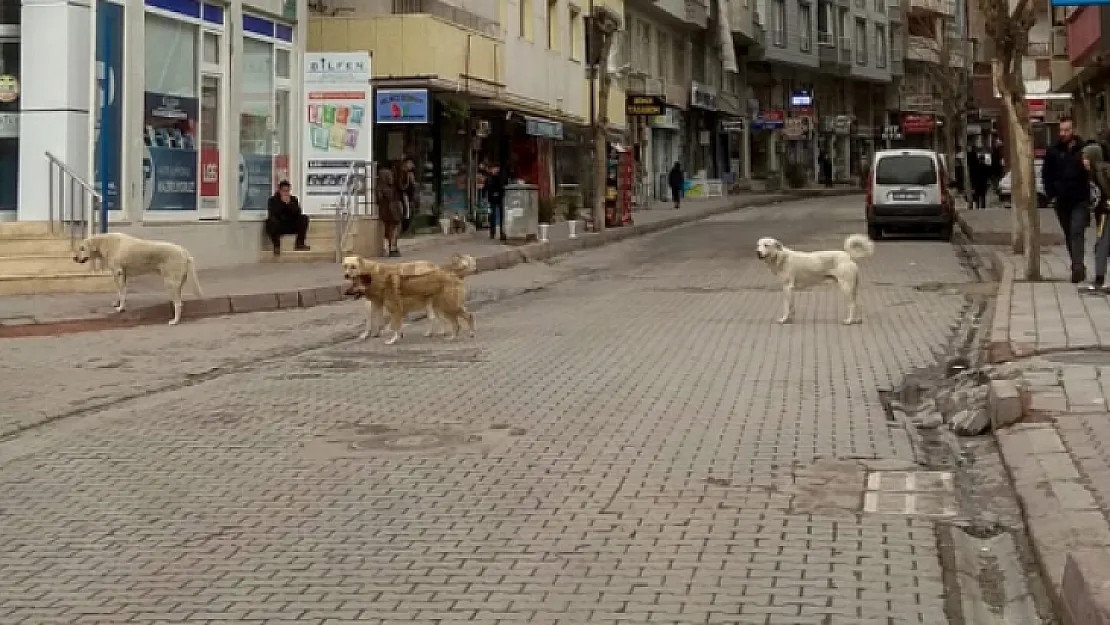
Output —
<point x="604" y="25"/>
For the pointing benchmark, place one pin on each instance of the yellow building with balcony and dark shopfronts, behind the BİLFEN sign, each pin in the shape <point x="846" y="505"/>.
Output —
<point x="500" y="83"/>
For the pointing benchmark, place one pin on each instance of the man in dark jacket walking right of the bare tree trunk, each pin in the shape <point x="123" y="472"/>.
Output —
<point x="1067" y="186"/>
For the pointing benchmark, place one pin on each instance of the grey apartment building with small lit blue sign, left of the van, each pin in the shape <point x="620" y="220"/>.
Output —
<point x="823" y="68"/>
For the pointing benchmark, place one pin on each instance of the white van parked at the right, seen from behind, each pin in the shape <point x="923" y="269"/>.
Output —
<point x="910" y="191"/>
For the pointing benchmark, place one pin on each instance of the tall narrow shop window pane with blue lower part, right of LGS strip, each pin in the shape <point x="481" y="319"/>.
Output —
<point x="257" y="124"/>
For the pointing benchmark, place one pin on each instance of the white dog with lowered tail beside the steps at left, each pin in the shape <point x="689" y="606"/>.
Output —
<point x="128" y="257"/>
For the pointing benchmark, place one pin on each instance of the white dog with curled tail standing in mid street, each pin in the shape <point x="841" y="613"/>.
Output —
<point x="803" y="270"/>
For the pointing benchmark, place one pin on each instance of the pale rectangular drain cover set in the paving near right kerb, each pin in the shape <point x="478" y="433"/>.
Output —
<point x="912" y="493"/>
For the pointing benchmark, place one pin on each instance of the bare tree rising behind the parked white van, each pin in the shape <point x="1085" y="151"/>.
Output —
<point x="950" y="82"/>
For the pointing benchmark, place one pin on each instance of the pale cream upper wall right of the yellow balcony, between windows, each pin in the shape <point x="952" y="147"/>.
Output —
<point x="536" y="75"/>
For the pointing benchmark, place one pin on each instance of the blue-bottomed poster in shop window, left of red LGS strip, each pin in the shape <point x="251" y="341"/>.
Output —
<point x="170" y="160"/>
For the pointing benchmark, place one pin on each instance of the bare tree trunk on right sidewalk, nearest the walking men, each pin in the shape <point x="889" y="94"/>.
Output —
<point x="1007" y="25"/>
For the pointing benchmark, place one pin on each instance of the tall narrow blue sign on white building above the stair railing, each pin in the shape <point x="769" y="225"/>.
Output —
<point x="108" y="143"/>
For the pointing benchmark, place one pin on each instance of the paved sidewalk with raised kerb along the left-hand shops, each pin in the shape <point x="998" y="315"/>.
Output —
<point x="266" y="287"/>
